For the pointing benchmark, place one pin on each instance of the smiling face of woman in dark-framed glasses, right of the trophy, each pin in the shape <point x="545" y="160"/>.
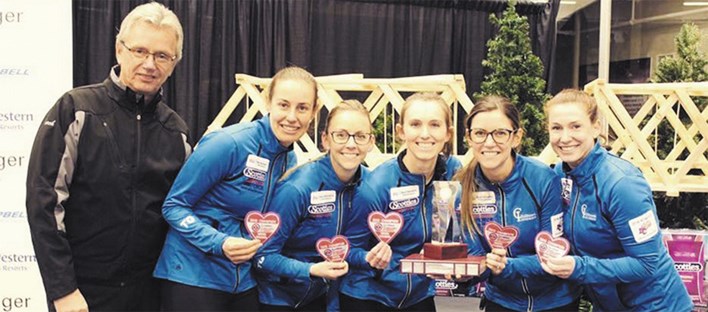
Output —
<point x="494" y="158"/>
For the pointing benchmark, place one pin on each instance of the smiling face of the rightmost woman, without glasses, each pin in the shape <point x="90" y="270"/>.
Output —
<point x="571" y="132"/>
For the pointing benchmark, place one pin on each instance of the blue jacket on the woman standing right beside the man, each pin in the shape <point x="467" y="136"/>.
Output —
<point x="232" y="171"/>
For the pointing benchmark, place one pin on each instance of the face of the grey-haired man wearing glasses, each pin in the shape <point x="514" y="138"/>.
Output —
<point x="145" y="76"/>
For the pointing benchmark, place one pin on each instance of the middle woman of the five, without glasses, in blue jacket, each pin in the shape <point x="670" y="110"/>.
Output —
<point x="403" y="185"/>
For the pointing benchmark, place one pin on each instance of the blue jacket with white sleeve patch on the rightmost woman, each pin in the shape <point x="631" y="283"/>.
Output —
<point x="614" y="232"/>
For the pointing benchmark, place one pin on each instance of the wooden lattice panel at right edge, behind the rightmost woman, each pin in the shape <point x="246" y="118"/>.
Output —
<point x="664" y="101"/>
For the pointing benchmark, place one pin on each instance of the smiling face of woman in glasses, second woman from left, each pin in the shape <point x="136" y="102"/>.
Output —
<point x="346" y="157"/>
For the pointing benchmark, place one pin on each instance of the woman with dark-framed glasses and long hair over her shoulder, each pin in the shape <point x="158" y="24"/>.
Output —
<point x="512" y="190"/>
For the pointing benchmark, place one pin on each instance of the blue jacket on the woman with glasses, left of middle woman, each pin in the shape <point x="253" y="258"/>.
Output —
<point x="312" y="203"/>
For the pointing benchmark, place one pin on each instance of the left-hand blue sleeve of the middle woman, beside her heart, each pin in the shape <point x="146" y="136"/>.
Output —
<point x="357" y="231"/>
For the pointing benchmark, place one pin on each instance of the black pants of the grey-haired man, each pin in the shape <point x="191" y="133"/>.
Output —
<point x="139" y="295"/>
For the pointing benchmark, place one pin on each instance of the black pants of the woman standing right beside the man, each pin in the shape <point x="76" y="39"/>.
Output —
<point x="181" y="297"/>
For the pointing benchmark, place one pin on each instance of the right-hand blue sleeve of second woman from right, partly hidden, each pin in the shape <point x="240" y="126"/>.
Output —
<point x="528" y="266"/>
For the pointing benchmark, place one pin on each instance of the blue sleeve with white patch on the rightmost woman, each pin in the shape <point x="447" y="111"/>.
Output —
<point x="629" y="201"/>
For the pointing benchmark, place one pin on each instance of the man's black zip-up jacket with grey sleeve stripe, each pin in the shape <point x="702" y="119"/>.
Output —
<point x="101" y="166"/>
